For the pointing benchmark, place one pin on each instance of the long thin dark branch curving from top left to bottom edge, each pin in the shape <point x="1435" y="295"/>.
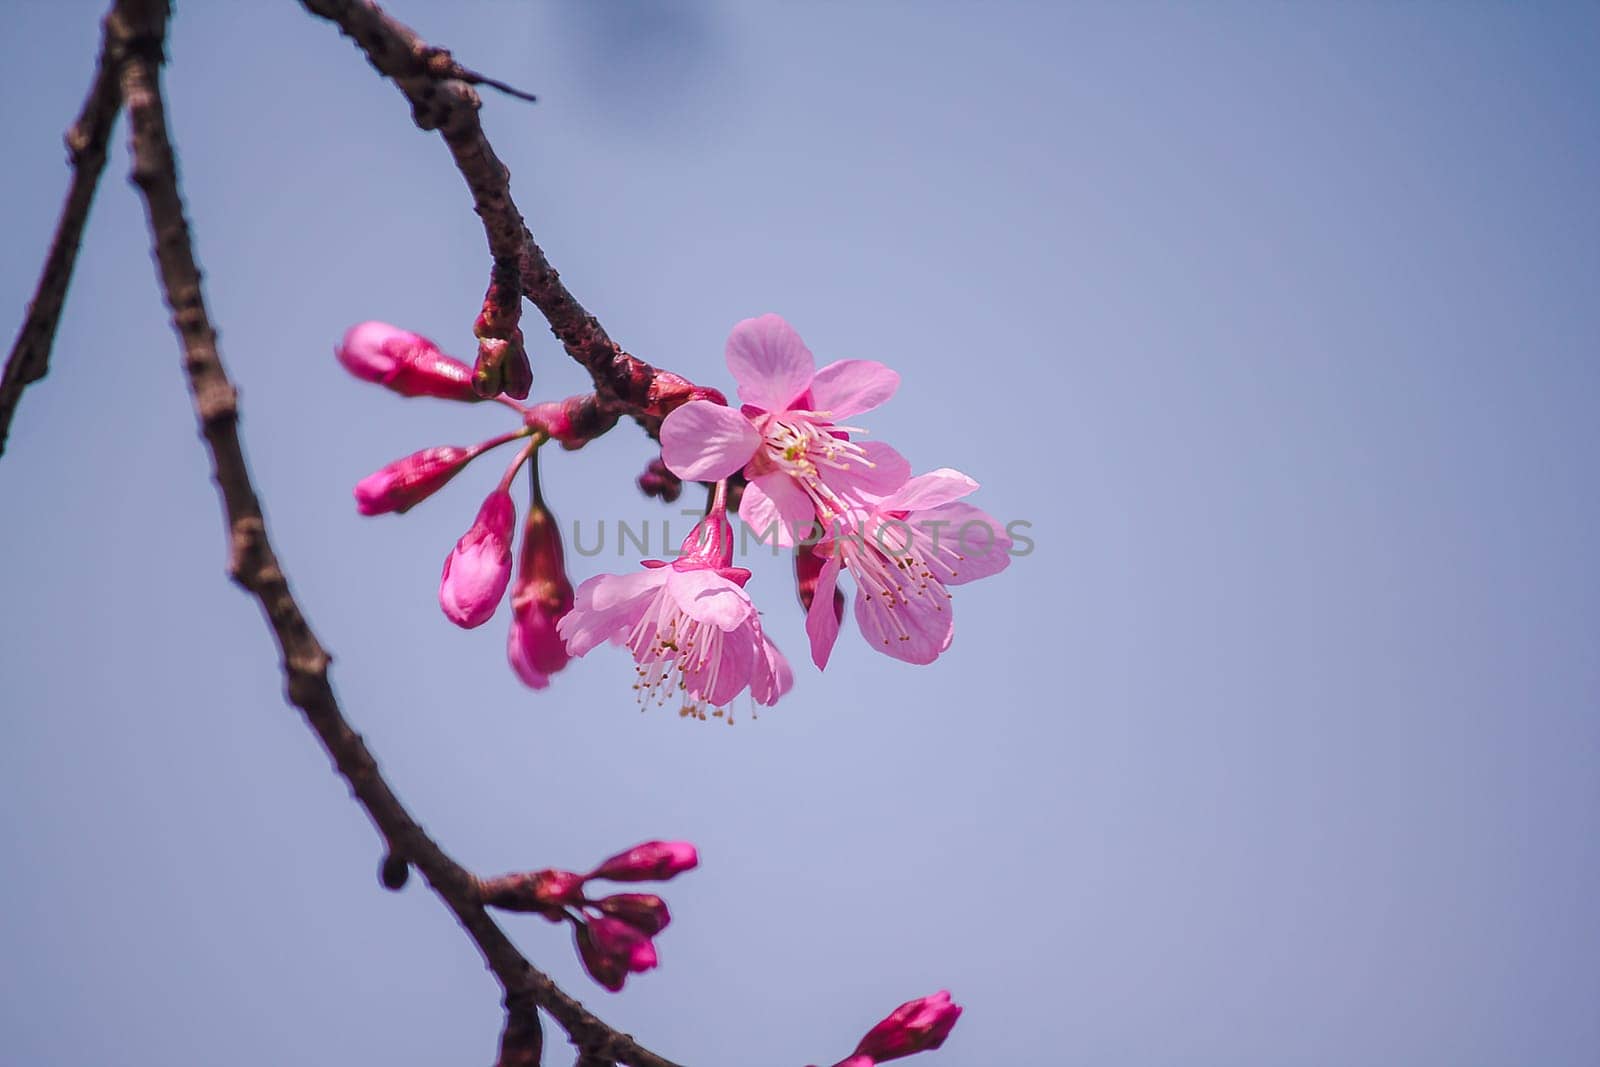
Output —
<point x="255" y="567"/>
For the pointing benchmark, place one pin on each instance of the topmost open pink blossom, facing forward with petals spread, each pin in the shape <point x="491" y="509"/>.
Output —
<point x="790" y="438"/>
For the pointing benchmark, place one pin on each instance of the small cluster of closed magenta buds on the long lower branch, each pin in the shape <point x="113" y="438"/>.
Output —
<point x="614" y="933"/>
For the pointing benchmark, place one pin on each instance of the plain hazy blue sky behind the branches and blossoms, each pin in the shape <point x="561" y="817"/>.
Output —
<point x="1279" y="322"/>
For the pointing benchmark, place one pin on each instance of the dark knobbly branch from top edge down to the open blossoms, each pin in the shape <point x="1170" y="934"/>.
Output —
<point x="442" y="100"/>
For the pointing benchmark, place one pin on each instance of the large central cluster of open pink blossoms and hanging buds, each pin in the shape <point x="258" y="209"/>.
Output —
<point x="692" y="628"/>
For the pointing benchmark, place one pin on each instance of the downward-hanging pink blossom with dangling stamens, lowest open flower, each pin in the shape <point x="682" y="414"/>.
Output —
<point x="689" y="623"/>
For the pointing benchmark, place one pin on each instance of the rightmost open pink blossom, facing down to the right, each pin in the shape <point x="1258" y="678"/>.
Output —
<point x="905" y="551"/>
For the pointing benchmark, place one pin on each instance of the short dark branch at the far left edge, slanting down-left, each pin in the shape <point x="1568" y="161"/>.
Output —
<point x="87" y="140"/>
